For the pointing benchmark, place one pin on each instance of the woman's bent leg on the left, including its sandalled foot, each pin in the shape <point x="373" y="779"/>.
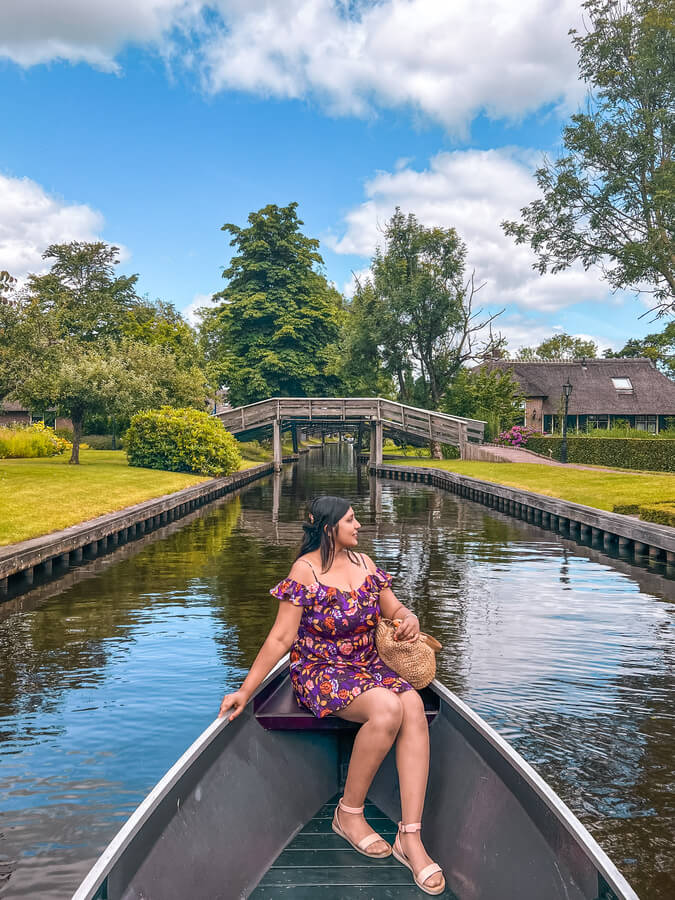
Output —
<point x="380" y="711"/>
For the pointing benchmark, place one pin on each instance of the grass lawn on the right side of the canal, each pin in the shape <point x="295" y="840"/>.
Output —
<point x="601" y="489"/>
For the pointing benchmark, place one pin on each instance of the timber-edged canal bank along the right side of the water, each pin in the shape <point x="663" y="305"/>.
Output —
<point x="627" y="535"/>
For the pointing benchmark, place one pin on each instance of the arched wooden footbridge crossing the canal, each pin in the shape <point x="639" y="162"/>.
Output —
<point x="282" y="413"/>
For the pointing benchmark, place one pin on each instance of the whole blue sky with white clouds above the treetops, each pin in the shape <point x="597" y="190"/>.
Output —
<point x="151" y="123"/>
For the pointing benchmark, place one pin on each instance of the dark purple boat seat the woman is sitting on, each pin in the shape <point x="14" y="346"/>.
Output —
<point x="277" y="709"/>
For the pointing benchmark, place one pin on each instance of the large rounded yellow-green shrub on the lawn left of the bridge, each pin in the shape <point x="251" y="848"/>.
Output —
<point x="181" y="440"/>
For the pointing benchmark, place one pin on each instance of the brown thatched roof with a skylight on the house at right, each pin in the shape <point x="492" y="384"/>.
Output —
<point x="593" y="391"/>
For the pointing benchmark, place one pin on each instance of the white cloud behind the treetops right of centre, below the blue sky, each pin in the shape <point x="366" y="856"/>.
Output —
<point x="472" y="190"/>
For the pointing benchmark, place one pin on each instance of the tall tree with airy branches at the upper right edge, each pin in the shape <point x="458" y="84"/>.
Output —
<point x="609" y="201"/>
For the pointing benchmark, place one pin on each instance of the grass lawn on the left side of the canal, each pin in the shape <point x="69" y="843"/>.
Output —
<point x="42" y="495"/>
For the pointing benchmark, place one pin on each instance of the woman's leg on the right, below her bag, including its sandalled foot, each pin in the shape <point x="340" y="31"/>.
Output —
<point x="412" y="761"/>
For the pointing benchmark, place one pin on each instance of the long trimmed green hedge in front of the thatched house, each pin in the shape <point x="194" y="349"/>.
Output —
<point x="653" y="454"/>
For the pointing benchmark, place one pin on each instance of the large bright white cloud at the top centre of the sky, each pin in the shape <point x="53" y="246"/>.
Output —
<point x="446" y="60"/>
